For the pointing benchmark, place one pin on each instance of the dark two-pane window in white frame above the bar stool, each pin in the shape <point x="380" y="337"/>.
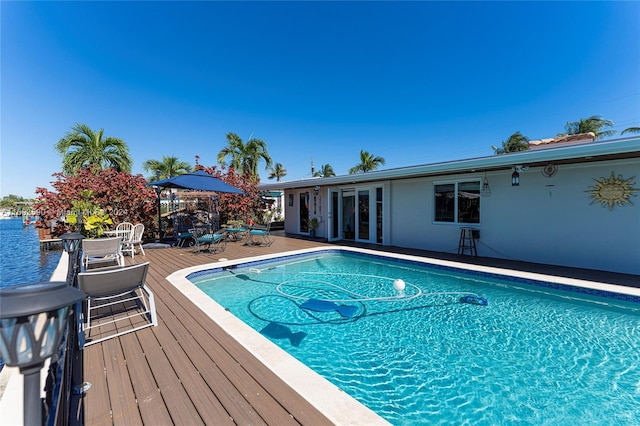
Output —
<point x="457" y="202"/>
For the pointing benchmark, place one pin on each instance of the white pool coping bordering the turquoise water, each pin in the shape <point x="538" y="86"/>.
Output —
<point x="337" y="405"/>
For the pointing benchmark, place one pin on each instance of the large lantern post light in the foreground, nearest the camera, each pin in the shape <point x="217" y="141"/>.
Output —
<point x="33" y="320"/>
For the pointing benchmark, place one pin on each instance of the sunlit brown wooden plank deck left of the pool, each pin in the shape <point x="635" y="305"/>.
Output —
<point x="187" y="370"/>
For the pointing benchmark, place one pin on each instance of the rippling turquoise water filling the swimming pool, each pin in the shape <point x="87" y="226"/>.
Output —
<point x="533" y="355"/>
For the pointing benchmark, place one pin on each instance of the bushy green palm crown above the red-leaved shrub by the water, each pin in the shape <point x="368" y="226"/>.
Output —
<point x="83" y="147"/>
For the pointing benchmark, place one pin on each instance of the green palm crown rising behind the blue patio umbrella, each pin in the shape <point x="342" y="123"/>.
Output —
<point x="245" y="157"/>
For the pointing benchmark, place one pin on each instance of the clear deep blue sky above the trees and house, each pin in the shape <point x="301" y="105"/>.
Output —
<point x="414" y="83"/>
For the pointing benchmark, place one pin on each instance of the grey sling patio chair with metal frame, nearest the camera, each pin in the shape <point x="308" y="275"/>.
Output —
<point x="118" y="302"/>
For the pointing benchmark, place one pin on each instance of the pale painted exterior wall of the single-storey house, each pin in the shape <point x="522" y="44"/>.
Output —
<point x="544" y="220"/>
